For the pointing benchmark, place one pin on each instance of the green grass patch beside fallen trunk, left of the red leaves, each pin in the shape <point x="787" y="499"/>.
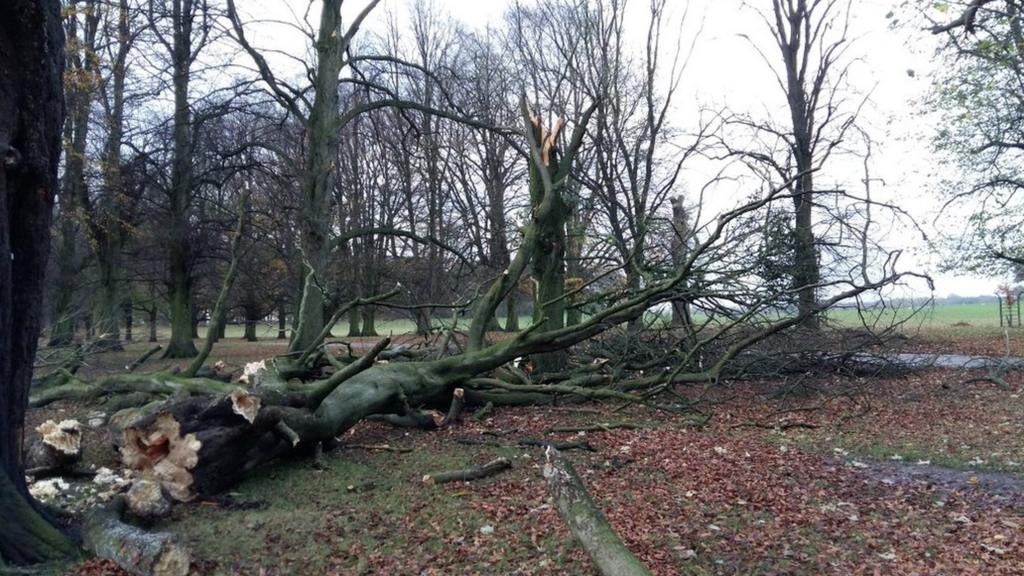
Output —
<point x="363" y="508"/>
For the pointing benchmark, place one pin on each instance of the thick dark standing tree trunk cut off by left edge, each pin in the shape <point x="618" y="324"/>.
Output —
<point x="31" y="116"/>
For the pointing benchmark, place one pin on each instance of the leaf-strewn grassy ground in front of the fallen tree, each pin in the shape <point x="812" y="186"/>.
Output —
<point x="916" y="475"/>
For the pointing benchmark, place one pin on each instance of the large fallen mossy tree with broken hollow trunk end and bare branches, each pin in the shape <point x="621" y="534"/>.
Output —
<point x="209" y="434"/>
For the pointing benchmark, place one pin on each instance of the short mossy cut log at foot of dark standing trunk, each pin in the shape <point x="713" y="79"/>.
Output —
<point x="134" y="550"/>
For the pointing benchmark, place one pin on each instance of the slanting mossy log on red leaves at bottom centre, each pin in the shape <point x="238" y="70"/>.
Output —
<point x="587" y="522"/>
